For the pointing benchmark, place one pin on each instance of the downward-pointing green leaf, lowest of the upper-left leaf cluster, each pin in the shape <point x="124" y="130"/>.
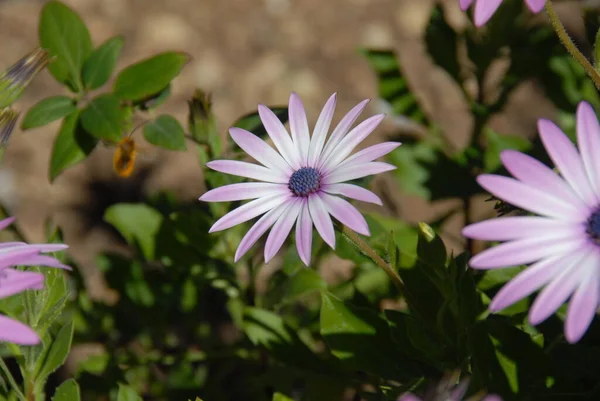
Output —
<point x="71" y="146"/>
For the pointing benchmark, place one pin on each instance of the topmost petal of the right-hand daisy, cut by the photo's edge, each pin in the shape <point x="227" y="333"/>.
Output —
<point x="588" y="138"/>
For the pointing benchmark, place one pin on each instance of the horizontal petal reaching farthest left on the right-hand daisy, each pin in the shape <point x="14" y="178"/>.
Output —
<point x="510" y="228"/>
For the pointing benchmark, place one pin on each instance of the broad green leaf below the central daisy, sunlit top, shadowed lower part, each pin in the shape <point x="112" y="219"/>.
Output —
<point x="359" y="338"/>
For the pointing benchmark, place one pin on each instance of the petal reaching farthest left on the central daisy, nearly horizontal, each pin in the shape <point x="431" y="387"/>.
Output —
<point x="242" y="191"/>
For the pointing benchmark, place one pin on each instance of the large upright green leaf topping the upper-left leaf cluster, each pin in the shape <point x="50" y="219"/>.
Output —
<point x="65" y="36"/>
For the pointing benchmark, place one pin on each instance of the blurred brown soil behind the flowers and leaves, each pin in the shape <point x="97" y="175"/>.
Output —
<point x="244" y="52"/>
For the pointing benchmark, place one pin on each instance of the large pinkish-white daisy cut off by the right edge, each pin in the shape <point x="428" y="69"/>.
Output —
<point x="562" y="243"/>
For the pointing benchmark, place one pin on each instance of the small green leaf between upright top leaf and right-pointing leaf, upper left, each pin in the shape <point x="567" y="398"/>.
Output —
<point x="100" y="65"/>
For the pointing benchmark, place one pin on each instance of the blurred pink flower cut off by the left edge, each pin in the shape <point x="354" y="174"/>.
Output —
<point x="14" y="281"/>
